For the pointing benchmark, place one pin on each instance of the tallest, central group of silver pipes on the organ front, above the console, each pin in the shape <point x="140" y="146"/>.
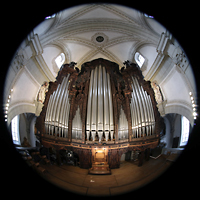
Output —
<point x="99" y="107"/>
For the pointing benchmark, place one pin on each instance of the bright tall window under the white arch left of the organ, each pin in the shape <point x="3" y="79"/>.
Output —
<point x="15" y="129"/>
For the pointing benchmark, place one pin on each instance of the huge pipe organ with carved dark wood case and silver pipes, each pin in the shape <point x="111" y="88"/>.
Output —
<point x="100" y="108"/>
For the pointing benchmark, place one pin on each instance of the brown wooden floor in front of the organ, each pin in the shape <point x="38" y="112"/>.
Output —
<point x="127" y="178"/>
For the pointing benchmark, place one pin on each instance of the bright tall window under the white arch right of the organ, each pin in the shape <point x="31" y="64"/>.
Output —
<point x="185" y="130"/>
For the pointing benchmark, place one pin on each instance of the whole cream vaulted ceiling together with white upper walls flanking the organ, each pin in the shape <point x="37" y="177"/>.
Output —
<point x="108" y="31"/>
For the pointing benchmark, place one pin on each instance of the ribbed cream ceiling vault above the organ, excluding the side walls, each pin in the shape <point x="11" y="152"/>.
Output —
<point x="74" y="31"/>
